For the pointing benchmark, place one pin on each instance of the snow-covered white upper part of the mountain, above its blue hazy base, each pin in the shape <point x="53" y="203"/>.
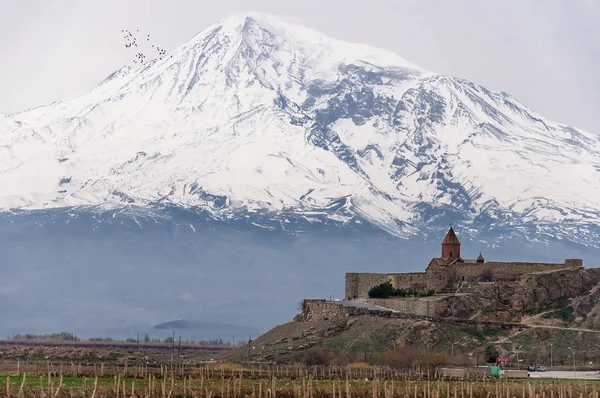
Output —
<point x="259" y="114"/>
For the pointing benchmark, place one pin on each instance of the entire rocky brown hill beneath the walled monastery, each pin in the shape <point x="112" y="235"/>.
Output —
<point x="559" y="308"/>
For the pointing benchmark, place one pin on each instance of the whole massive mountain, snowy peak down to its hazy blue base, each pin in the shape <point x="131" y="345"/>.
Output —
<point x="254" y="165"/>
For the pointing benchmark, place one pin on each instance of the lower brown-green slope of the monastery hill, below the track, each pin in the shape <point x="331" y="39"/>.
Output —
<point x="374" y="337"/>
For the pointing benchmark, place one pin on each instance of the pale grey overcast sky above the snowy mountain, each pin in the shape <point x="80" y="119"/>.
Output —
<point x="544" y="52"/>
